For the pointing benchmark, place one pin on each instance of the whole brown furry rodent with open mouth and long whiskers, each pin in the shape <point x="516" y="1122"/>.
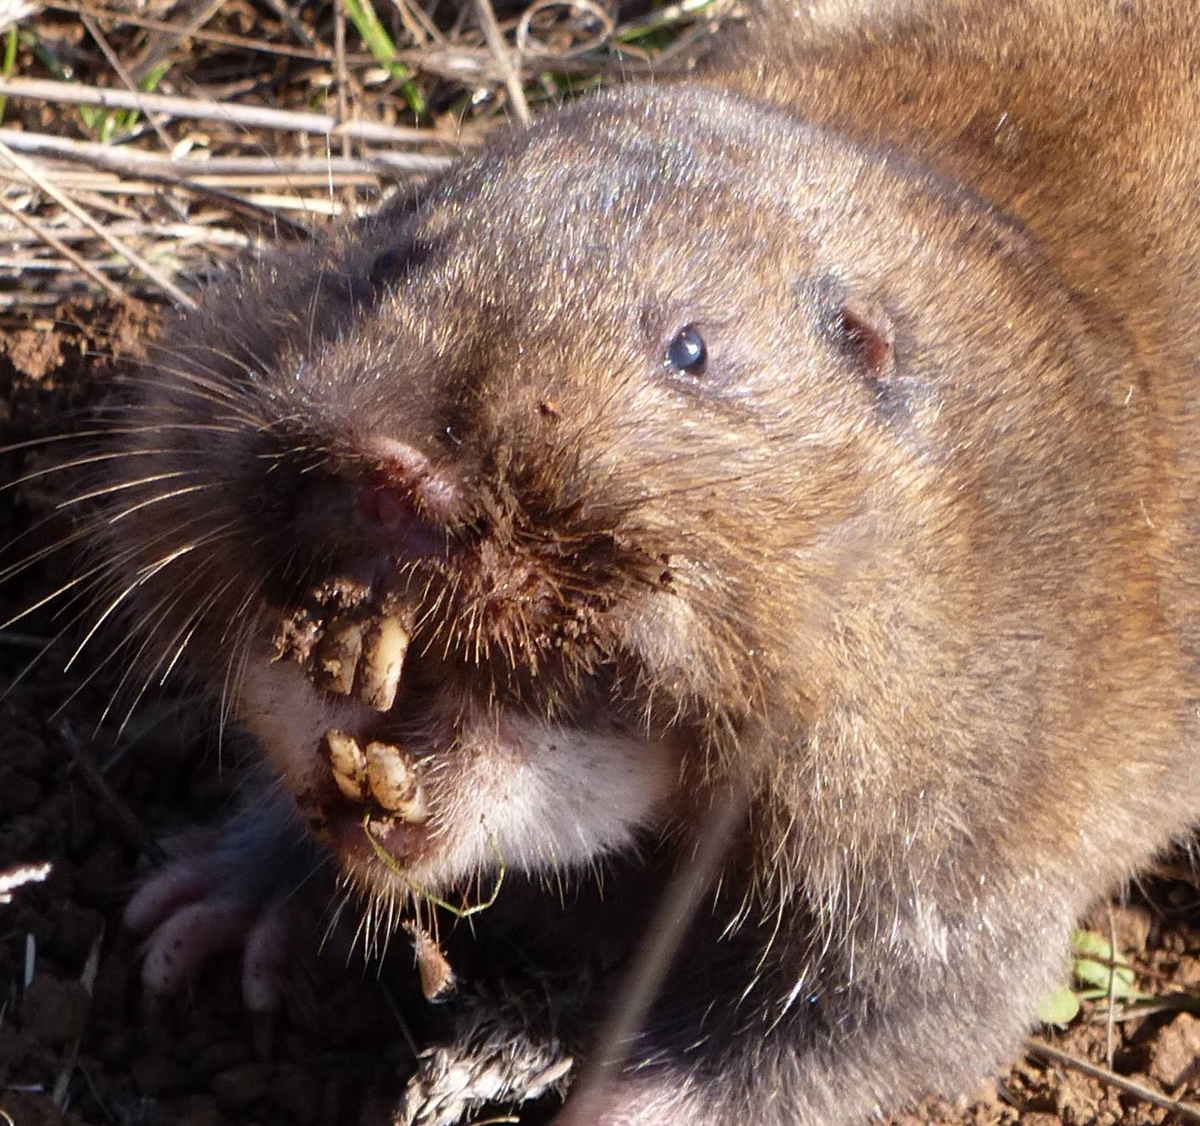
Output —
<point x="818" y="427"/>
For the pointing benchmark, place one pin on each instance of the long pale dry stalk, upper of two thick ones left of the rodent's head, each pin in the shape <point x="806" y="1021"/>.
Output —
<point x="199" y="109"/>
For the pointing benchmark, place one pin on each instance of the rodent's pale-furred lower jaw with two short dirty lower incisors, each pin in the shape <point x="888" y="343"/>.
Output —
<point x="451" y="781"/>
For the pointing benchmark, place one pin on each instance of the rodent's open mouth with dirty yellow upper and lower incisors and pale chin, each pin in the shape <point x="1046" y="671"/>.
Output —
<point x="427" y="744"/>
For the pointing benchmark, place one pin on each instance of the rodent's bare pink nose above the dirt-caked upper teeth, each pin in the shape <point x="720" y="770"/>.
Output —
<point x="407" y="500"/>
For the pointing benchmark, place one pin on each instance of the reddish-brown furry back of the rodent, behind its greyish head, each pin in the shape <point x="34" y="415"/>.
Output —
<point x="1078" y="122"/>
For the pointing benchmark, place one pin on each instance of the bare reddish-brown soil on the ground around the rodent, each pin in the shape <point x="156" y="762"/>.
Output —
<point x="91" y="790"/>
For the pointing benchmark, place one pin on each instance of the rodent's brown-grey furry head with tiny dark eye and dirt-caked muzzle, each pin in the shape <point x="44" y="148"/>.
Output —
<point x="620" y="409"/>
